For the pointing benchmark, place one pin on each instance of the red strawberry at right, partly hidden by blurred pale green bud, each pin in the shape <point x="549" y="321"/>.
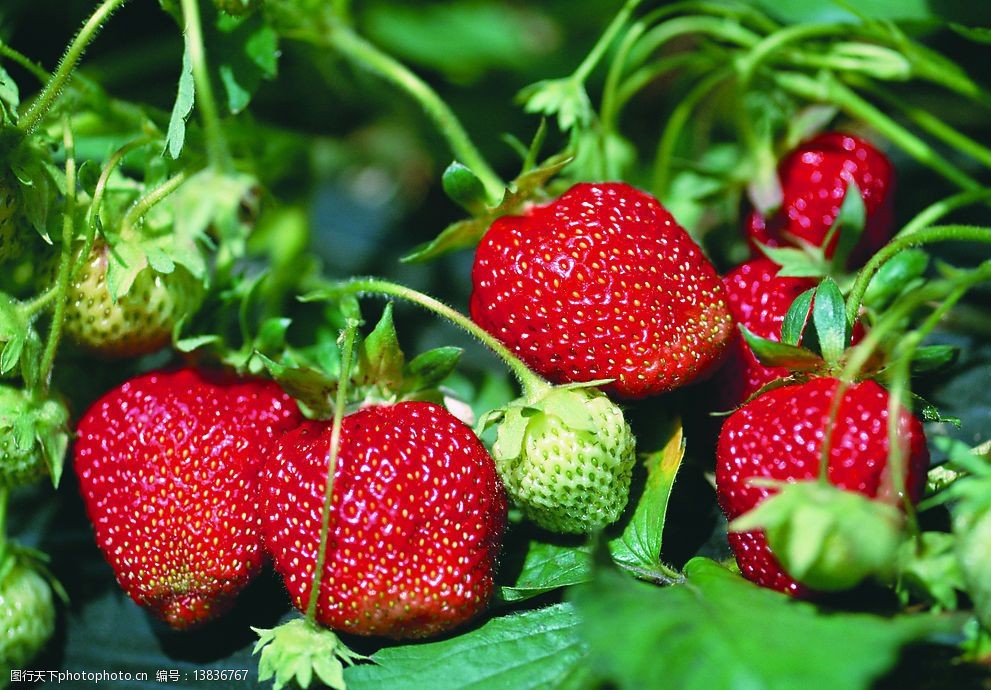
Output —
<point x="778" y="435"/>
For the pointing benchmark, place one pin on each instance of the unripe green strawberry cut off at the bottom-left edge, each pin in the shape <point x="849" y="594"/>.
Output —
<point x="27" y="615"/>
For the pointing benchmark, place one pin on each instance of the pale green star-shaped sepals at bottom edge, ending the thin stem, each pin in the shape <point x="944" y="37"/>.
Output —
<point x="298" y="651"/>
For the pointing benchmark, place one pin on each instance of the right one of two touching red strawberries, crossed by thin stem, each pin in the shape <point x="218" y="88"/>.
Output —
<point x="416" y="524"/>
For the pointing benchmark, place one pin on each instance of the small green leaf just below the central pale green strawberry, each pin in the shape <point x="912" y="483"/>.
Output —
<point x="550" y="566"/>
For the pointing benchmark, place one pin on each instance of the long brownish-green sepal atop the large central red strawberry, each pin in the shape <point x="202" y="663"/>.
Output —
<point x="467" y="233"/>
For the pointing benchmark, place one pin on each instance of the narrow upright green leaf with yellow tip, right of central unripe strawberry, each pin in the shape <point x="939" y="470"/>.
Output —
<point x="639" y="546"/>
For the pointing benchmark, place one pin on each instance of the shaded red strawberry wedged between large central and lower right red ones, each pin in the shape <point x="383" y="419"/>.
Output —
<point x="759" y="300"/>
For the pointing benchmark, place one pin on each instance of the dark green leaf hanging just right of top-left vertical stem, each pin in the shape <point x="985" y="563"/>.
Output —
<point x="246" y="51"/>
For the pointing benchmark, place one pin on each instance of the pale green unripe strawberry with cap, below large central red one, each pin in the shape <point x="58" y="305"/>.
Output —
<point x="566" y="459"/>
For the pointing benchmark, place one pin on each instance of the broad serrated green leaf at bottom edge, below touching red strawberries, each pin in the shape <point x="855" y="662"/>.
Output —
<point x="526" y="651"/>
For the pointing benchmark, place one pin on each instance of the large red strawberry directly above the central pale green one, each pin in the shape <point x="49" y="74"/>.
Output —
<point x="601" y="284"/>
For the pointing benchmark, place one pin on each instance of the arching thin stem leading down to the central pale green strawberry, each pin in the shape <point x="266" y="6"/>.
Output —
<point x="532" y="384"/>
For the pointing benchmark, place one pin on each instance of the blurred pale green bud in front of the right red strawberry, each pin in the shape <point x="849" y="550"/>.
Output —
<point x="825" y="537"/>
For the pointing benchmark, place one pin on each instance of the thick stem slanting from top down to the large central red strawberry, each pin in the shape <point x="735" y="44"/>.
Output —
<point x="363" y="53"/>
